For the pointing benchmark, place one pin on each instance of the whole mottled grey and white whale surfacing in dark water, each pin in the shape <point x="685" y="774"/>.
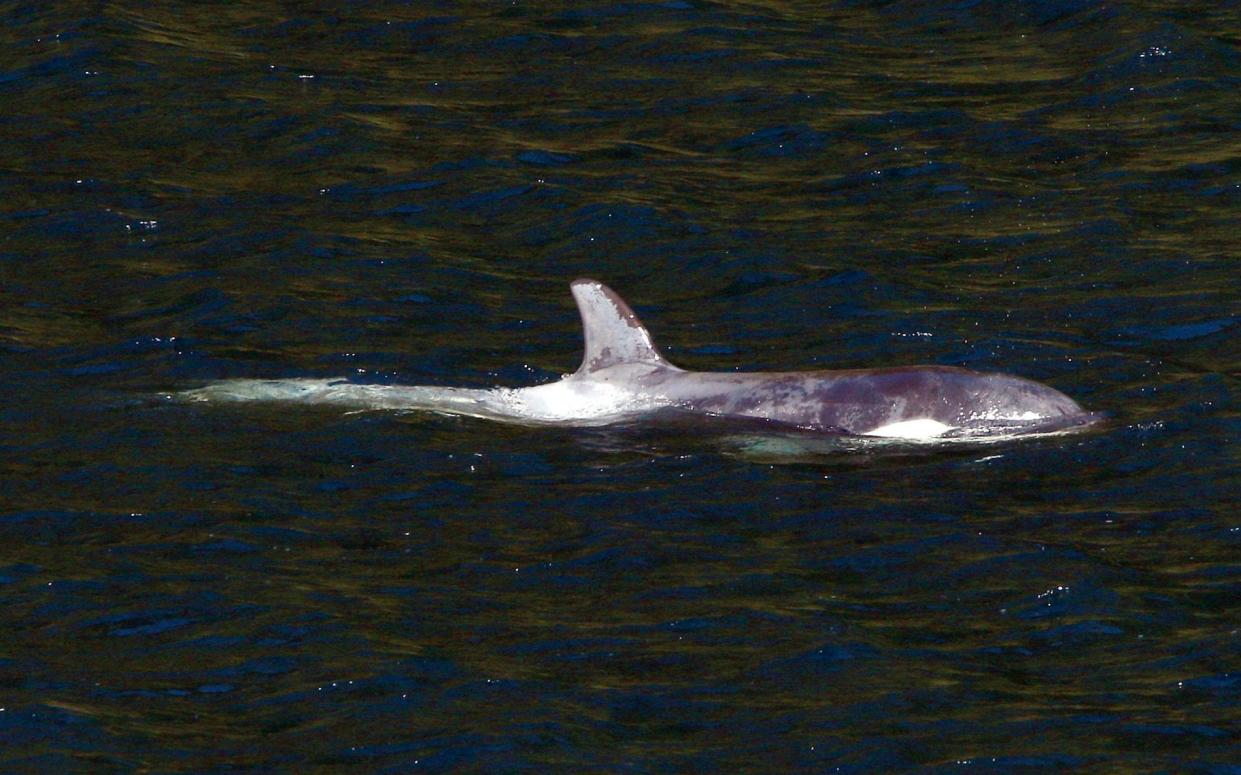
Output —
<point x="624" y="379"/>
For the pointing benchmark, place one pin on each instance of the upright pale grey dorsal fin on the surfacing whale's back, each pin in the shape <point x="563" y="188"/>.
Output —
<point x="614" y="335"/>
